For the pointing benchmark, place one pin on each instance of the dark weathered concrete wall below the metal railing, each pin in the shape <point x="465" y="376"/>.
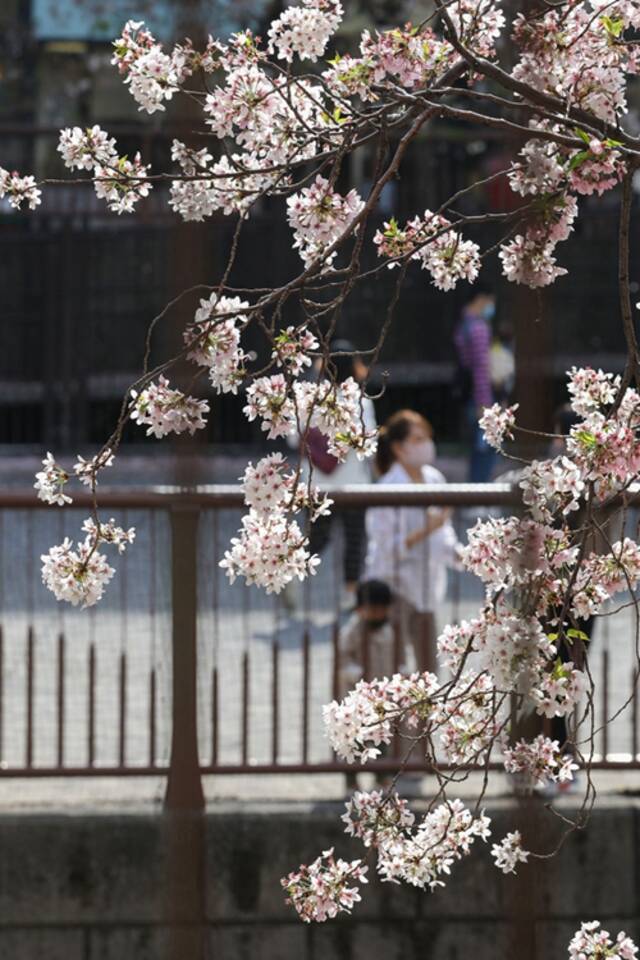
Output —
<point x="93" y="888"/>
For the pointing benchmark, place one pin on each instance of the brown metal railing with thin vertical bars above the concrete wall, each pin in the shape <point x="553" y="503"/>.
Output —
<point x="179" y="673"/>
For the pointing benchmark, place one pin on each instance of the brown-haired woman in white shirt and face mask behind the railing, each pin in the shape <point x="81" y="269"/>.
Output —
<point x="410" y="548"/>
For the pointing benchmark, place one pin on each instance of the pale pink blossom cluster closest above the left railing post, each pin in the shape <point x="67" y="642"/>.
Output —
<point x="165" y="410"/>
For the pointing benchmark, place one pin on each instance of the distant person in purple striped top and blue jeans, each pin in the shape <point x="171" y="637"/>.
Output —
<point x="472" y="339"/>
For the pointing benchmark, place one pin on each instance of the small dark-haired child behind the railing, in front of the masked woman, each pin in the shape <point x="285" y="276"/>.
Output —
<point x="367" y="645"/>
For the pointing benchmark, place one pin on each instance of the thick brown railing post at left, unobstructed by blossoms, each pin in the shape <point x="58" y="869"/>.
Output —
<point x="184" y="801"/>
